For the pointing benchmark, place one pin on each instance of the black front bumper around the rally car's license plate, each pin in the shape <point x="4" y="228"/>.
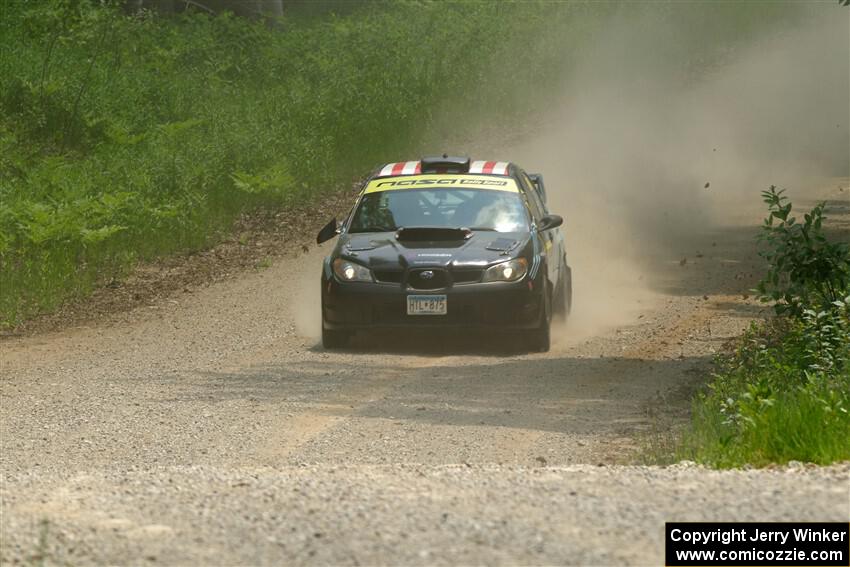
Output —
<point x="496" y="305"/>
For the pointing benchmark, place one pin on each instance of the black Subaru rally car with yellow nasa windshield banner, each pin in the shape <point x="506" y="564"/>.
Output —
<point x="446" y="242"/>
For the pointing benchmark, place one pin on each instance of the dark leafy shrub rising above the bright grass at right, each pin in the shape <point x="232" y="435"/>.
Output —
<point x="804" y="267"/>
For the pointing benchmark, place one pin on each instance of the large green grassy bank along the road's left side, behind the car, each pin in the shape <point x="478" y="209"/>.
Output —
<point x="126" y="138"/>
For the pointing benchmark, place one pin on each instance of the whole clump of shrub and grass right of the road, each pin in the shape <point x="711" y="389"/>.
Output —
<point x="784" y="393"/>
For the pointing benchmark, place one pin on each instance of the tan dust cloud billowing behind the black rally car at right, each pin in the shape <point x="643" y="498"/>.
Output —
<point x="642" y="157"/>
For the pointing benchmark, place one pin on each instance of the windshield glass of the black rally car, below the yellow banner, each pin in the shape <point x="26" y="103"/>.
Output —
<point x="477" y="209"/>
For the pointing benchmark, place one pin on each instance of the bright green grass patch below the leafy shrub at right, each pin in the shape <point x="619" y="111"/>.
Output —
<point x="780" y="397"/>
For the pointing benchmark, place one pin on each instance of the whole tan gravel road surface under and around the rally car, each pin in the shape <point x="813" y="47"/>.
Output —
<point x="211" y="428"/>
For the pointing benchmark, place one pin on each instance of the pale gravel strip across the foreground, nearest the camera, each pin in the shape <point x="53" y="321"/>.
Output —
<point x="395" y="514"/>
